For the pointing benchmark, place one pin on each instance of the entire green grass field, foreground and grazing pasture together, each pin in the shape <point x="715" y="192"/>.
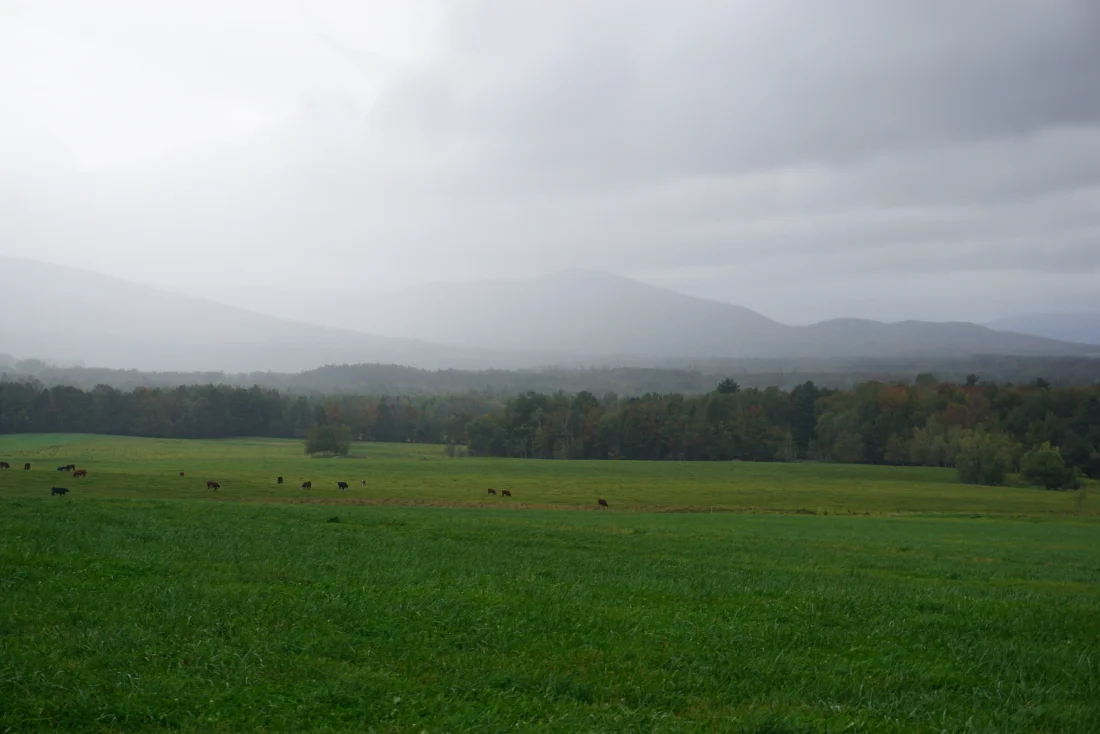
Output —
<point x="138" y="605"/>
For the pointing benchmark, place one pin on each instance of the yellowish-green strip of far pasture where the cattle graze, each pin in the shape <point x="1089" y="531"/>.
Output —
<point x="138" y="468"/>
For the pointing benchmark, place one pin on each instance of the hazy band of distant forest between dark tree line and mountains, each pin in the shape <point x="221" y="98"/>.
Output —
<point x="695" y="379"/>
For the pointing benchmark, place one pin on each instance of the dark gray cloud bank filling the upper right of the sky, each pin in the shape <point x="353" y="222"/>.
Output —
<point x="647" y="87"/>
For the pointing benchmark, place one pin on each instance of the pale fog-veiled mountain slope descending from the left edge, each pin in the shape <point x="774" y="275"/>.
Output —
<point x="68" y="315"/>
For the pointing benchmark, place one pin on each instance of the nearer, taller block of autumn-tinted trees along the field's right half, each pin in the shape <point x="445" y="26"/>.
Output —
<point x="928" y="423"/>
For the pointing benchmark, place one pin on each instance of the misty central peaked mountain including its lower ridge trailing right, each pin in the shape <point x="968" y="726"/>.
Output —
<point x="611" y="320"/>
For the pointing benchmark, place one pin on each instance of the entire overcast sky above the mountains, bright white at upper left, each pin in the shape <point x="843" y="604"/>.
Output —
<point x="809" y="159"/>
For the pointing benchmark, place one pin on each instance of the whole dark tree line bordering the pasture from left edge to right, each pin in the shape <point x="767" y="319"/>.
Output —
<point x="927" y="423"/>
